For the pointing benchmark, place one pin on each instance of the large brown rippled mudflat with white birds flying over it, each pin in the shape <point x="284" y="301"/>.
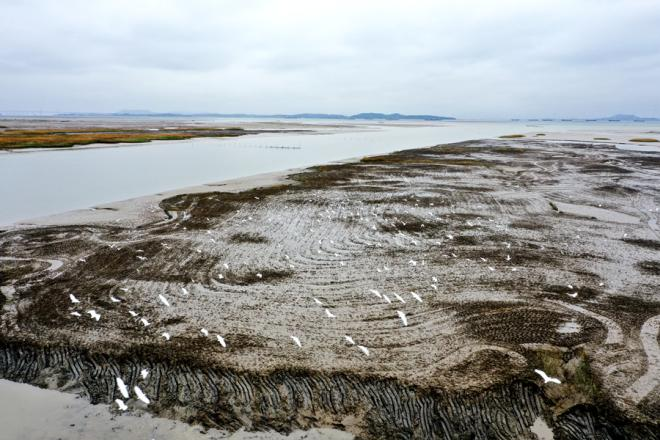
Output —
<point x="423" y="287"/>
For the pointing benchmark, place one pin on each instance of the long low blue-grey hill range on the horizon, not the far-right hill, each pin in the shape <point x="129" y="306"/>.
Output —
<point x="361" y="116"/>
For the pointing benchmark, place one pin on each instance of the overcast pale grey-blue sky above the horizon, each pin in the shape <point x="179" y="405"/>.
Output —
<point x="468" y="59"/>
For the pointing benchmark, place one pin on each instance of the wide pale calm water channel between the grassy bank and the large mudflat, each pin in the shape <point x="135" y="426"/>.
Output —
<point x="39" y="183"/>
